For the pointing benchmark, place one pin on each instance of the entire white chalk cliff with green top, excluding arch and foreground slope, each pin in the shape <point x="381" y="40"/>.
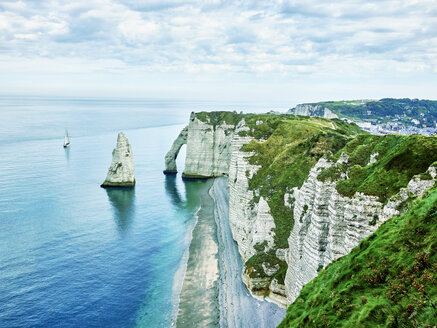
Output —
<point x="304" y="191"/>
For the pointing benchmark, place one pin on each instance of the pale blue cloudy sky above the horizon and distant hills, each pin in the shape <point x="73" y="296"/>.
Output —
<point x="280" y="51"/>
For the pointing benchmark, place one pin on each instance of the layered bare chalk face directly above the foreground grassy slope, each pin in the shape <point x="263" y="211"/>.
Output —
<point x="329" y="225"/>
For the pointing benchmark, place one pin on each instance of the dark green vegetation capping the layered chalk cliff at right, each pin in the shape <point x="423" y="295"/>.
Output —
<point x="399" y="159"/>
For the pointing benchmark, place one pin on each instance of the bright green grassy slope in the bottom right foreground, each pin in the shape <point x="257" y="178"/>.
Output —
<point x="388" y="280"/>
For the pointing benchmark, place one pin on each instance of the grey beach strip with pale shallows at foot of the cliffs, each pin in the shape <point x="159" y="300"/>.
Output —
<point x="213" y="293"/>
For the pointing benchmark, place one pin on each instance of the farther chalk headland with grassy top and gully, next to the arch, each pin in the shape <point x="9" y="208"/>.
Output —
<point x="220" y="144"/>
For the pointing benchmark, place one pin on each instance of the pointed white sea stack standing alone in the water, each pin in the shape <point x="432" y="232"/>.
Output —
<point x="121" y="173"/>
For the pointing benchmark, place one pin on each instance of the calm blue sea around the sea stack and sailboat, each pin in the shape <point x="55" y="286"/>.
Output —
<point x="71" y="253"/>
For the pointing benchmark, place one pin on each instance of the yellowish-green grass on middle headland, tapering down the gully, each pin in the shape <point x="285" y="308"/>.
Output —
<point x="292" y="146"/>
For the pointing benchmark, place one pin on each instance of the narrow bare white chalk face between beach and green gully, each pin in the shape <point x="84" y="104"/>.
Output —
<point x="251" y="222"/>
